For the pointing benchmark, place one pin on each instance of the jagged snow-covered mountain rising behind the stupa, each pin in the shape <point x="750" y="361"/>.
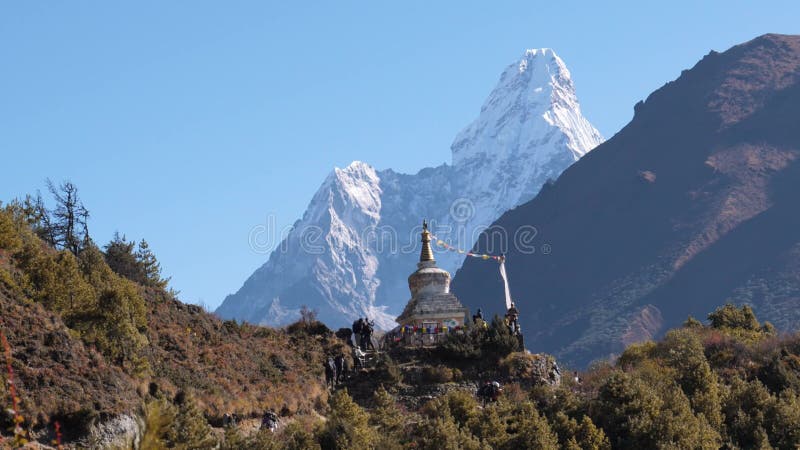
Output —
<point x="351" y="253"/>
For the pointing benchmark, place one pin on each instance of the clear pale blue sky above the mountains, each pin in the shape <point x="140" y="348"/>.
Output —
<point x="189" y="122"/>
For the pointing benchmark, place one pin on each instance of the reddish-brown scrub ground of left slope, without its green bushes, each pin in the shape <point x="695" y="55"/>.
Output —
<point x="226" y="367"/>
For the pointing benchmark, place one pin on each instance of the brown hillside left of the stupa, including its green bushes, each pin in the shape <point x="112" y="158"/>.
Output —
<point x="95" y="351"/>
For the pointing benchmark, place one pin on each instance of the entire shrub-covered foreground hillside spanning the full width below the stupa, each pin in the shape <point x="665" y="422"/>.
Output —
<point x="100" y="361"/>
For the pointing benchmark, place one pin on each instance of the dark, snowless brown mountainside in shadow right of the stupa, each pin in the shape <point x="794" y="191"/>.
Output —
<point x="692" y="204"/>
